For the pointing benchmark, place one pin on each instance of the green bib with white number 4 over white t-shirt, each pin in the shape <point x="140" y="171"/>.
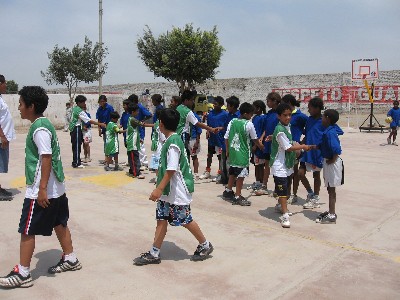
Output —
<point x="239" y="133"/>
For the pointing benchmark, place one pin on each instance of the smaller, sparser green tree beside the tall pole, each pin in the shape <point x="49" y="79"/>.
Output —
<point x="80" y="64"/>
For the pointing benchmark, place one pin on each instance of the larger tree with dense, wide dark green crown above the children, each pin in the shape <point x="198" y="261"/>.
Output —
<point x="186" y="56"/>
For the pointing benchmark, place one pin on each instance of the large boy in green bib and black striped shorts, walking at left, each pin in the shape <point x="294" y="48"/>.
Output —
<point x="45" y="205"/>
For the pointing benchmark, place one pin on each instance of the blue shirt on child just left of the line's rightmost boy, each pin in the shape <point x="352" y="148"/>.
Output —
<point x="313" y="136"/>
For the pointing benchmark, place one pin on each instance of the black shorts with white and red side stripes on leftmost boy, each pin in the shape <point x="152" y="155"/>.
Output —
<point x="36" y="220"/>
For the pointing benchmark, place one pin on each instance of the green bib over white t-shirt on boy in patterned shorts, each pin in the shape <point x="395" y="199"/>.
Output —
<point x="173" y="157"/>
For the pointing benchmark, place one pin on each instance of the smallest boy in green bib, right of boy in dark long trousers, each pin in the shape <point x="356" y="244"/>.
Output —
<point x="112" y="142"/>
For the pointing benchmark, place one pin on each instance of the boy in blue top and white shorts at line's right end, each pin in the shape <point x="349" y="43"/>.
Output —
<point x="333" y="170"/>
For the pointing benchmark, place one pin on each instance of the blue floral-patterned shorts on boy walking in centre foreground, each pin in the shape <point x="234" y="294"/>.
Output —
<point x="176" y="215"/>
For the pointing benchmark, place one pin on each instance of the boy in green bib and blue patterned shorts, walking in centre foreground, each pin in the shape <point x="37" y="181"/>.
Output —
<point x="175" y="185"/>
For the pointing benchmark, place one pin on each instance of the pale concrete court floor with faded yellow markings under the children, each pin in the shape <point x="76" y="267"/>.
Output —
<point x="112" y="222"/>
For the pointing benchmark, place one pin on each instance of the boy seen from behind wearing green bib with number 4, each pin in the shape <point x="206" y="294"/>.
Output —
<point x="237" y="141"/>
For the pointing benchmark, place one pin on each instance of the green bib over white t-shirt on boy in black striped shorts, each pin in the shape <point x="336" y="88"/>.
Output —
<point x="42" y="139"/>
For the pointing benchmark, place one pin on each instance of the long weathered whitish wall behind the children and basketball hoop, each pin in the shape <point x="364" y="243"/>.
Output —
<point x="247" y="89"/>
